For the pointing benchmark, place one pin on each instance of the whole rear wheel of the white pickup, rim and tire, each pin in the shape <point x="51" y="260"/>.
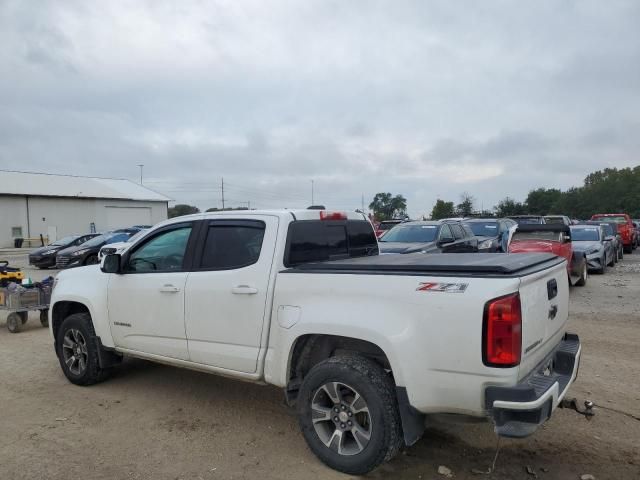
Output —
<point x="349" y="415"/>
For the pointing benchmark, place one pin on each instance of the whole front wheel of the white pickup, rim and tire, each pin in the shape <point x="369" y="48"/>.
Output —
<point x="77" y="352"/>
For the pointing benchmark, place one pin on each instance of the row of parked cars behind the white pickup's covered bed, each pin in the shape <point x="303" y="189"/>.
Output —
<point x="587" y="246"/>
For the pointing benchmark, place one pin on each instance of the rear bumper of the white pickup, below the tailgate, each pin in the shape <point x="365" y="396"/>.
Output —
<point x="518" y="411"/>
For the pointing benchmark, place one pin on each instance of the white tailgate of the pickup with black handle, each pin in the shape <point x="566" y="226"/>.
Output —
<point x="544" y="297"/>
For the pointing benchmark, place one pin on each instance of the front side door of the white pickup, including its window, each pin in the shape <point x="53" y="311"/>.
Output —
<point x="146" y="301"/>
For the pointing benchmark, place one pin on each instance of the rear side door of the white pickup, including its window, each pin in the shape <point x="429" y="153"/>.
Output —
<point x="227" y="292"/>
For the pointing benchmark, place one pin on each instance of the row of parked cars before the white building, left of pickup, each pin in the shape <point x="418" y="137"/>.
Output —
<point x="79" y="250"/>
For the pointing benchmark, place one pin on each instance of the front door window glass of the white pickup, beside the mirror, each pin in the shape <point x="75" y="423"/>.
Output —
<point x="162" y="253"/>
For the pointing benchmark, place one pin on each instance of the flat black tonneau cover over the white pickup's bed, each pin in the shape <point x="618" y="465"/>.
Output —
<point x="438" y="263"/>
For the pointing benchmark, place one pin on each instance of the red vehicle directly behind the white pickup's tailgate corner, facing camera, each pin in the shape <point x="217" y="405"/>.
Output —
<point x="553" y="238"/>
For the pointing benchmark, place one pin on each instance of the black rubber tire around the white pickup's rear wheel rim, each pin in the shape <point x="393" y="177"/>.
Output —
<point x="377" y="390"/>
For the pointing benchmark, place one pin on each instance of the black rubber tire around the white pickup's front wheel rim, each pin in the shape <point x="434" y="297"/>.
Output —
<point x="91" y="373"/>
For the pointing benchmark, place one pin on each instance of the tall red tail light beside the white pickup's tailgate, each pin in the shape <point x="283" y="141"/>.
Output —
<point x="502" y="332"/>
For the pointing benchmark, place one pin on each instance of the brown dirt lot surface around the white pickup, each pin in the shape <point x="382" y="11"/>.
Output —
<point x="157" y="422"/>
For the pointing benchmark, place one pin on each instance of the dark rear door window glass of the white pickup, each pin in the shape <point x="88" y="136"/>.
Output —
<point x="229" y="246"/>
